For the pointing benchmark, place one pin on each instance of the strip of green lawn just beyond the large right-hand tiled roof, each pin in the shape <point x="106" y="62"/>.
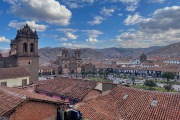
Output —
<point x="153" y="88"/>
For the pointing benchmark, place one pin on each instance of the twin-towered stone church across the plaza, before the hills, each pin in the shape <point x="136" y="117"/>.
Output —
<point x="70" y="64"/>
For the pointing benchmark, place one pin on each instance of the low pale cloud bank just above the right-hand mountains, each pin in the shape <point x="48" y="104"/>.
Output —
<point x="144" y="39"/>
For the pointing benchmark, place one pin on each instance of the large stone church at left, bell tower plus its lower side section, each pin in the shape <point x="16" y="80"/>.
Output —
<point x="23" y="53"/>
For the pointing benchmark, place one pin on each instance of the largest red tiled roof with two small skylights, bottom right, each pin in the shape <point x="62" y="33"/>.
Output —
<point x="136" y="105"/>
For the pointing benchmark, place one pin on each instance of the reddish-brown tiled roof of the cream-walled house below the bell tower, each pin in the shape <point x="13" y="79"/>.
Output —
<point x="13" y="72"/>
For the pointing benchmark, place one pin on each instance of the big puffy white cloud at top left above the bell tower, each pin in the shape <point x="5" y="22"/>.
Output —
<point x="50" y="11"/>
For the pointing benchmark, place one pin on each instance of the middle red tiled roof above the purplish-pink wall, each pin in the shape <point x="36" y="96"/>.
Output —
<point x="69" y="87"/>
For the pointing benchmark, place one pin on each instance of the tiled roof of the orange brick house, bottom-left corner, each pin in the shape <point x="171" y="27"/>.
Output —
<point x="10" y="98"/>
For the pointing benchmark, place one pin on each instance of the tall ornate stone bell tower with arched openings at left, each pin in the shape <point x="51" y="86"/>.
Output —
<point x="26" y="47"/>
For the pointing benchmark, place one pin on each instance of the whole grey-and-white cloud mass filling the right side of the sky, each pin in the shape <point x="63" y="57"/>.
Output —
<point x="162" y="28"/>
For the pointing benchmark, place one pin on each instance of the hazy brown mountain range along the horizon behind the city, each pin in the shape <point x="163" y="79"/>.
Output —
<point x="173" y="50"/>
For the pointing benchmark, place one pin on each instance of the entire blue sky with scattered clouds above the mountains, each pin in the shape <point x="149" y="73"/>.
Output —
<point x="93" y="23"/>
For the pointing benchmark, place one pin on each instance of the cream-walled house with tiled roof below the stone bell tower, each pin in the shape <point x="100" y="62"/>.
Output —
<point x="13" y="77"/>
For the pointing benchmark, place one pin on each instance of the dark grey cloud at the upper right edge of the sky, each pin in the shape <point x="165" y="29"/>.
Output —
<point x="164" y="19"/>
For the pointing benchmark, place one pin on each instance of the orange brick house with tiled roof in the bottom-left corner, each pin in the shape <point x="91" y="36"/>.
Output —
<point x="17" y="104"/>
